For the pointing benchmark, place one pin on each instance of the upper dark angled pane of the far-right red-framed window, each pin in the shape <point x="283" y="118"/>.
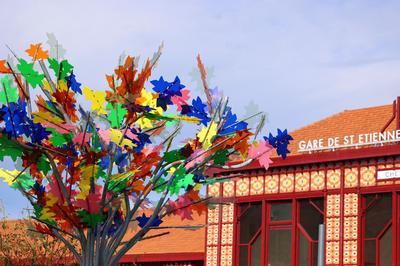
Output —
<point x="378" y="215"/>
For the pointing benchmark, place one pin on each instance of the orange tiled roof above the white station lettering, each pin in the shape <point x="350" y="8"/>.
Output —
<point x="348" y="122"/>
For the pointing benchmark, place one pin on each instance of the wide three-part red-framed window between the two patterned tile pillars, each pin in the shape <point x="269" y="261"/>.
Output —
<point x="287" y="225"/>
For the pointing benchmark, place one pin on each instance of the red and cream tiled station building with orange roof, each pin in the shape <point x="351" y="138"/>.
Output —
<point x="344" y="173"/>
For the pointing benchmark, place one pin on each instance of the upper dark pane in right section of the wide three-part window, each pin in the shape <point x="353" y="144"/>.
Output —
<point x="310" y="218"/>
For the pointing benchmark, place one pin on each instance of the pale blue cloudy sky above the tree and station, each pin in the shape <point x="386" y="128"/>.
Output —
<point x="297" y="60"/>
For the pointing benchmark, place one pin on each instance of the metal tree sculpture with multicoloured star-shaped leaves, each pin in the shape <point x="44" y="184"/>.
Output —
<point x="89" y="171"/>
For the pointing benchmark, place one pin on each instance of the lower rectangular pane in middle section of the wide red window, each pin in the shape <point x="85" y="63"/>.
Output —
<point x="279" y="246"/>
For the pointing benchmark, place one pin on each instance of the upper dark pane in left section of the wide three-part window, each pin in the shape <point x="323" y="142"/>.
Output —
<point x="250" y="222"/>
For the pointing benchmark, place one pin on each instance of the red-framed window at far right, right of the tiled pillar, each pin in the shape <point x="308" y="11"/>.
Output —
<point x="377" y="228"/>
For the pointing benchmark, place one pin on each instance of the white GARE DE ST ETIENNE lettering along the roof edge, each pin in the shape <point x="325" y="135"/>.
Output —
<point x="373" y="138"/>
